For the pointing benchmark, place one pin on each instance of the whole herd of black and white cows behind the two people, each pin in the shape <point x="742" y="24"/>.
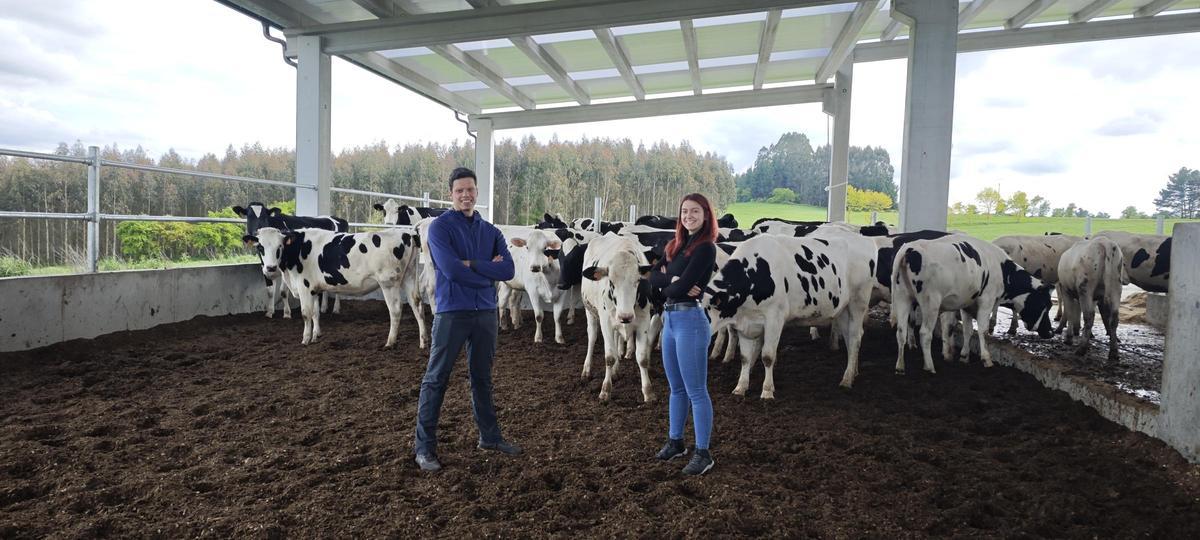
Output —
<point x="776" y="272"/>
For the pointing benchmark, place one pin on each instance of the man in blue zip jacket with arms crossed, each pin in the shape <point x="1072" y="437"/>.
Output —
<point x="470" y="256"/>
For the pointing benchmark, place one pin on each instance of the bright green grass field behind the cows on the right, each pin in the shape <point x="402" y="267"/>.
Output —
<point x="983" y="227"/>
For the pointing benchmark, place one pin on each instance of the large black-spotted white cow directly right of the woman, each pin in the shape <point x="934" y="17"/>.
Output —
<point x="772" y="280"/>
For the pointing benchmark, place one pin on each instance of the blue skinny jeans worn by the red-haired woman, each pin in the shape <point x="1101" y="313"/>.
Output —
<point x="686" y="361"/>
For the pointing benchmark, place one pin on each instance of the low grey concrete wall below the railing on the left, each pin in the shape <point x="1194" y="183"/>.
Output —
<point x="46" y="310"/>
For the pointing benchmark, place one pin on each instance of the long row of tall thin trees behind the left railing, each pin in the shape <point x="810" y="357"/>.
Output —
<point x="531" y="178"/>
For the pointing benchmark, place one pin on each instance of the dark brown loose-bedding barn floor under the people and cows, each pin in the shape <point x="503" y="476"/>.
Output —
<point x="227" y="428"/>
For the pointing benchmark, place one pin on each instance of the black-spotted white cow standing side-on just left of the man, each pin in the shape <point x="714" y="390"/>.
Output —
<point x="315" y="261"/>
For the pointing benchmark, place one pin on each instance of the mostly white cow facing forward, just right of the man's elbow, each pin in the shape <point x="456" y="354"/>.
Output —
<point x="536" y="260"/>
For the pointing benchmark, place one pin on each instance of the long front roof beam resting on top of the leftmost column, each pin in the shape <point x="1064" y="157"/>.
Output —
<point x="524" y="20"/>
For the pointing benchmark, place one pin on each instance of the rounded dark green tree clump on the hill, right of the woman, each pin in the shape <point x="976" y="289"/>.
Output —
<point x="793" y="164"/>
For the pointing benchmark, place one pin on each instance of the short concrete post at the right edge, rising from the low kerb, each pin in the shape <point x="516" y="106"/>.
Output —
<point x="1179" y="422"/>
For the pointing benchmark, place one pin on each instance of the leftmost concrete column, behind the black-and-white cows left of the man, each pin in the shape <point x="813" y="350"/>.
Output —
<point x="314" y="159"/>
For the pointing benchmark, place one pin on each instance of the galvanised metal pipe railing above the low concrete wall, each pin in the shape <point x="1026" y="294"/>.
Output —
<point x="94" y="217"/>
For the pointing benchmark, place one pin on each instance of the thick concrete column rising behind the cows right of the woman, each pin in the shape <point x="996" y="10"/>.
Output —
<point x="929" y="111"/>
